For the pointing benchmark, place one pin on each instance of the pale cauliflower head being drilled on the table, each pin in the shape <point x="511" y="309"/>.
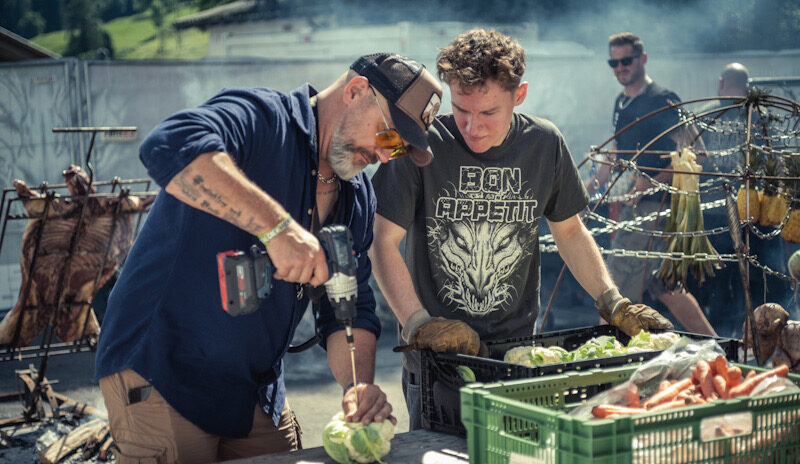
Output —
<point x="352" y="442"/>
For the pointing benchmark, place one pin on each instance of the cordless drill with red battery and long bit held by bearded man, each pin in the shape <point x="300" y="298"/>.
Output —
<point x="245" y="279"/>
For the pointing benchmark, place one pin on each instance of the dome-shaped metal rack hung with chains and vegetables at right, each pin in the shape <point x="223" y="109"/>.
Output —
<point x="769" y="125"/>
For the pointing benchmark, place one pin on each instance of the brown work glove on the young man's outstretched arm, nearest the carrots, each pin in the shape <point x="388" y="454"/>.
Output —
<point x="630" y="318"/>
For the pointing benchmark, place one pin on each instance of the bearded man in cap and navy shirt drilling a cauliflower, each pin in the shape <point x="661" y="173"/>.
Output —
<point x="183" y="380"/>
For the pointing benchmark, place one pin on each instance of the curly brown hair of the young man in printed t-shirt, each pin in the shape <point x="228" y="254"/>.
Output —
<point x="479" y="55"/>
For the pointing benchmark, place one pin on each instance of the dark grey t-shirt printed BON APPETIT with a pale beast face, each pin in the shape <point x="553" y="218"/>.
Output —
<point x="472" y="244"/>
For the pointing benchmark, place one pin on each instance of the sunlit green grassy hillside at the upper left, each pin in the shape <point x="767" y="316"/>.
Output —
<point x="135" y="38"/>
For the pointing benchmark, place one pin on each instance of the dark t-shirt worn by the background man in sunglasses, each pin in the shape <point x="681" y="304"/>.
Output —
<point x="627" y="110"/>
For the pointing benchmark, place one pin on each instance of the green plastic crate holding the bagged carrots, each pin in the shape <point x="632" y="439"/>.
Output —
<point x="525" y="422"/>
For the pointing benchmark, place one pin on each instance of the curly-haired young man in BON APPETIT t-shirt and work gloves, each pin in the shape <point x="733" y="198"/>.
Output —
<point x="470" y="218"/>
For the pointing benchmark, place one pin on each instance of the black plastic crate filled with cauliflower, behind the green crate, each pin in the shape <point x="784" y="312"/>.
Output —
<point x="439" y="380"/>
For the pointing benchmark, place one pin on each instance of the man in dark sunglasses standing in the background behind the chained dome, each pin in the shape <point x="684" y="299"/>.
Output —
<point x="639" y="97"/>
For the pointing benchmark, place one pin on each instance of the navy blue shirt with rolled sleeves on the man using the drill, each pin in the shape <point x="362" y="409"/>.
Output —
<point x="165" y="318"/>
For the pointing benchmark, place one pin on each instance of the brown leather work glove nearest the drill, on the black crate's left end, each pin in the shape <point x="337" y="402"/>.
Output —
<point x="422" y="331"/>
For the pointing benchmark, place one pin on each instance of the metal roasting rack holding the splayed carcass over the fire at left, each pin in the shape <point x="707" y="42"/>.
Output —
<point x="35" y="386"/>
